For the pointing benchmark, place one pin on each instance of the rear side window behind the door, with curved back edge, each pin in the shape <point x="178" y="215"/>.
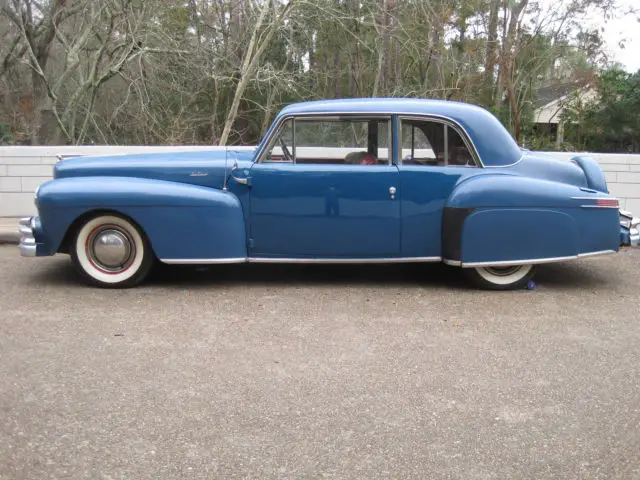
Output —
<point x="431" y="143"/>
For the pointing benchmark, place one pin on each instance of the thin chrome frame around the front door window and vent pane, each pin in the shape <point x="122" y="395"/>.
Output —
<point x="332" y="118"/>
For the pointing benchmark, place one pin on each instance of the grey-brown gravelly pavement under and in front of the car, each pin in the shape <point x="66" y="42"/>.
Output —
<point x="258" y="371"/>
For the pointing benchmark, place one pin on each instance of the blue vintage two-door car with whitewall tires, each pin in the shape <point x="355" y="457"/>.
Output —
<point x="340" y="181"/>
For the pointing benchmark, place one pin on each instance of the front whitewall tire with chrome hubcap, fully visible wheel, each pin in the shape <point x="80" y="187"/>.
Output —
<point x="109" y="251"/>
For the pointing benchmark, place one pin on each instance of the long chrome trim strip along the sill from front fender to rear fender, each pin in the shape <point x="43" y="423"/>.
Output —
<point x="196" y="261"/>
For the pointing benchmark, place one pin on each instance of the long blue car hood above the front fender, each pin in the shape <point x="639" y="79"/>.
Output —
<point x="205" y="168"/>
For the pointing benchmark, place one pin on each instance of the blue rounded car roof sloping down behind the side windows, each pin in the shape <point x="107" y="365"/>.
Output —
<point x="494" y="143"/>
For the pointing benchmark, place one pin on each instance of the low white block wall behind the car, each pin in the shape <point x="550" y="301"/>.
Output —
<point x="22" y="169"/>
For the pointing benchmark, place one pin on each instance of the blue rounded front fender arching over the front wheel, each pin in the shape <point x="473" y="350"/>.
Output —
<point x="181" y="221"/>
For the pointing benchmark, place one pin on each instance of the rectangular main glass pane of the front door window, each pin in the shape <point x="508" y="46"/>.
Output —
<point x="342" y="141"/>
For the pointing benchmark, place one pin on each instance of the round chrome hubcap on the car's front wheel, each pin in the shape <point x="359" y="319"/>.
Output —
<point x="110" y="249"/>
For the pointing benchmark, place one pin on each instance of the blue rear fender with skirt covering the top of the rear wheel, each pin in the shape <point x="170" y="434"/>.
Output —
<point x="503" y="218"/>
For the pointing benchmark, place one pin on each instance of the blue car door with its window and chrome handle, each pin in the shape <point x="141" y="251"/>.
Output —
<point x="325" y="189"/>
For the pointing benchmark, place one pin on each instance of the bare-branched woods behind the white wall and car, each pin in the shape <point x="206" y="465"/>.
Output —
<point x="216" y="71"/>
